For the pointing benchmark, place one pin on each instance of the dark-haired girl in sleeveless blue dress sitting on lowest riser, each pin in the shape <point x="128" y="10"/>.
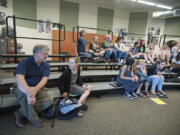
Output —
<point x="127" y="79"/>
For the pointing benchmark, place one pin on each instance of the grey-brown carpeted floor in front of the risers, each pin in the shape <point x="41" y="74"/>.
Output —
<point x="110" y="115"/>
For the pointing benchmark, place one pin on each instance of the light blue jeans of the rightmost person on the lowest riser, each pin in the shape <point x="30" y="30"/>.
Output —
<point x="156" y="81"/>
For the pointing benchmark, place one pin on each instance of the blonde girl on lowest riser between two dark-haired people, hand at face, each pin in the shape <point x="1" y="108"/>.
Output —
<point x="140" y="71"/>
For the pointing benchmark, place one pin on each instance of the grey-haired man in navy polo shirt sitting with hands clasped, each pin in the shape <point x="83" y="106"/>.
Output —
<point x="31" y="76"/>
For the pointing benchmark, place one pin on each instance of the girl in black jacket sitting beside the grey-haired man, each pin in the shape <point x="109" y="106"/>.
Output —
<point x="70" y="83"/>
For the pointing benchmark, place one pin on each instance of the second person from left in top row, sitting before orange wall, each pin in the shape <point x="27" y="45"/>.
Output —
<point x="95" y="49"/>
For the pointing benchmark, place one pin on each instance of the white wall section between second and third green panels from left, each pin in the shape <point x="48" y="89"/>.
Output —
<point x="88" y="16"/>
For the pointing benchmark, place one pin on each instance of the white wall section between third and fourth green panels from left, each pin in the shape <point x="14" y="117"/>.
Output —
<point x="121" y="20"/>
